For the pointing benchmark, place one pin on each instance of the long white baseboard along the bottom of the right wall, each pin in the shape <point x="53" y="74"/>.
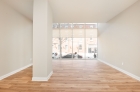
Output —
<point x="121" y="70"/>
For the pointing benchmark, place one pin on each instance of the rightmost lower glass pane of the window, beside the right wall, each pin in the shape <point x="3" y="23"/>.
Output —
<point x="91" y="48"/>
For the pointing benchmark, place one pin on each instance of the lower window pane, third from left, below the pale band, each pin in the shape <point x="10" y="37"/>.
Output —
<point x="78" y="48"/>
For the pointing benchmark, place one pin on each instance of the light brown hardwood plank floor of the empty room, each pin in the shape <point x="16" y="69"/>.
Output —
<point x="73" y="76"/>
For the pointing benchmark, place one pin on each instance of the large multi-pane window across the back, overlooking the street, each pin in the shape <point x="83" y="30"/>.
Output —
<point x="74" y="41"/>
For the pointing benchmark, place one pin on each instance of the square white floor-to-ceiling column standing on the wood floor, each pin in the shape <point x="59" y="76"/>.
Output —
<point x="42" y="41"/>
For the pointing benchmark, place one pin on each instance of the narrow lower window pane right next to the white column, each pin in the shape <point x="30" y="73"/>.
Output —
<point x="55" y="48"/>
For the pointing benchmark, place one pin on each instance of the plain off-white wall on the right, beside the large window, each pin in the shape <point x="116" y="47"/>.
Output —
<point x="119" y="40"/>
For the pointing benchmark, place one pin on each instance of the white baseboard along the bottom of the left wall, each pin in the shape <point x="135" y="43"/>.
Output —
<point x="13" y="72"/>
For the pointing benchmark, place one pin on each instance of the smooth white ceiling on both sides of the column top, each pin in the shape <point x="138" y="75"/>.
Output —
<point x="76" y="11"/>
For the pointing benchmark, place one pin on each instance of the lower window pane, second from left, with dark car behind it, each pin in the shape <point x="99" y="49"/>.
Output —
<point x="66" y="48"/>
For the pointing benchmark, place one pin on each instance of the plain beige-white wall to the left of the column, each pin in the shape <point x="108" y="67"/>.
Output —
<point x="15" y="40"/>
